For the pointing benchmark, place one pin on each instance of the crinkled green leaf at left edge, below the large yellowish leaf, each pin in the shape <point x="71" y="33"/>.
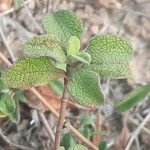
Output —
<point x="8" y="106"/>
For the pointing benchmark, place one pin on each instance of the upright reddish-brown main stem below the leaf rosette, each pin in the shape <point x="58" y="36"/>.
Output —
<point x="61" y="120"/>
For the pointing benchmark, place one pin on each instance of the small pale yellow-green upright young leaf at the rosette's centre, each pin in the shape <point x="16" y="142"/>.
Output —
<point x="73" y="46"/>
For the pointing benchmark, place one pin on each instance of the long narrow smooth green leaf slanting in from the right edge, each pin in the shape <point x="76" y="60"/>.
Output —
<point x="133" y="98"/>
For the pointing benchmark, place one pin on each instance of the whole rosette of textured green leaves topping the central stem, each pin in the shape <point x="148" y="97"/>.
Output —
<point x="58" y="54"/>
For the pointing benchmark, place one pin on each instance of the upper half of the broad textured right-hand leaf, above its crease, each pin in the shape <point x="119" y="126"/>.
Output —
<point x="109" y="49"/>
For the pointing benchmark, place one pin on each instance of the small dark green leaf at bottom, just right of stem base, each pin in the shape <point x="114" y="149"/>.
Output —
<point x="68" y="140"/>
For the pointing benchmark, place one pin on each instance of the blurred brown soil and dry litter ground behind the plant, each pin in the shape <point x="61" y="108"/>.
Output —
<point x="20" y="21"/>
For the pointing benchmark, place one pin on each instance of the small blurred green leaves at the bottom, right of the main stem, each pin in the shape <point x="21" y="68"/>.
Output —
<point x="87" y="127"/>
